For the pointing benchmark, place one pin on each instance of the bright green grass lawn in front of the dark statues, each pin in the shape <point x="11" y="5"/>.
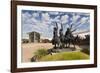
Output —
<point x="65" y="56"/>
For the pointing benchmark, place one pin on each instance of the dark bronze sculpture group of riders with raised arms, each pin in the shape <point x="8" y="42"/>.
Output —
<point x="63" y="40"/>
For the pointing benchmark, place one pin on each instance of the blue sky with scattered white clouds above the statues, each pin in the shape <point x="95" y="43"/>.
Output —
<point x="44" y="22"/>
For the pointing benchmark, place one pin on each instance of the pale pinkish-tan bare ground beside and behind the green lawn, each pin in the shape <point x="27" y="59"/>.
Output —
<point x="29" y="49"/>
